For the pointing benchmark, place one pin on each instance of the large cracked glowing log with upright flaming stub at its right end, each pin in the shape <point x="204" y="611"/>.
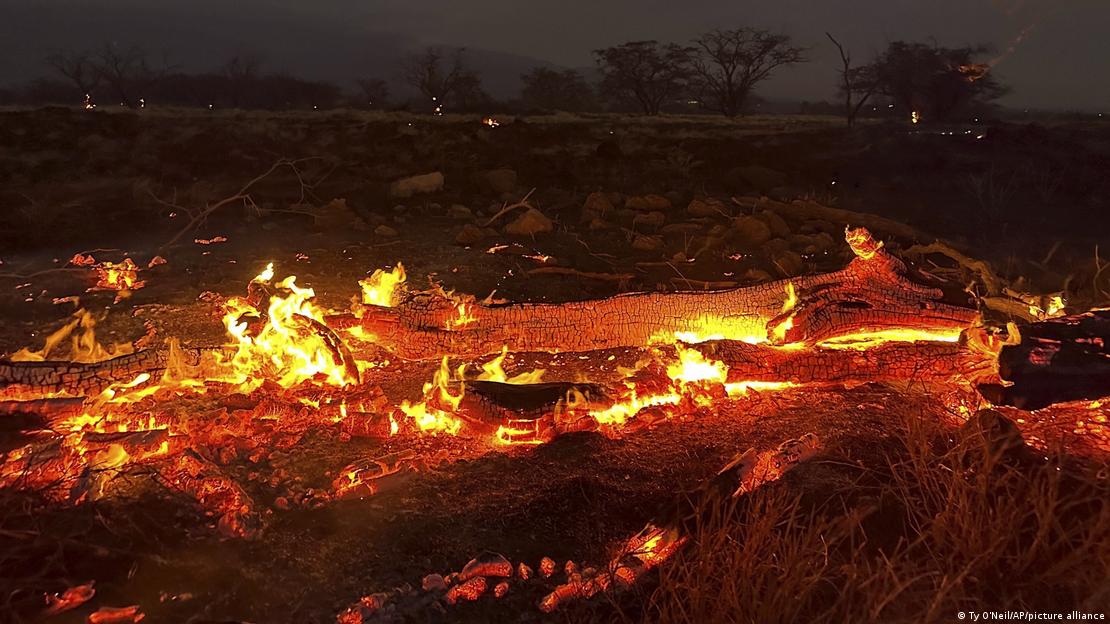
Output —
<point x="872" y="296"/>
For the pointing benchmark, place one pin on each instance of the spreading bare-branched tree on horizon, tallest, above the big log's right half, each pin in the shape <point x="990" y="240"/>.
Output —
<point x="729" y="65"/>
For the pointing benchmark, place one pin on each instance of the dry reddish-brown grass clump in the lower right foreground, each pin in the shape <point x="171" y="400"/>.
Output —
<point x="935" y="528"/>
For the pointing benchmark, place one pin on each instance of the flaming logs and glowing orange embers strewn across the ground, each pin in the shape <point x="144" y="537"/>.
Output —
<point x="292" y="369"/>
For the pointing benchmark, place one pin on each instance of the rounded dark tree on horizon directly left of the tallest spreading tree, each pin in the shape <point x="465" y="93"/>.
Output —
<point x="648" y="74"/>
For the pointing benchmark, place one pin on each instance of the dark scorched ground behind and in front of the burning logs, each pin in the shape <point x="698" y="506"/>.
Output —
<point x="1032" y="200"/>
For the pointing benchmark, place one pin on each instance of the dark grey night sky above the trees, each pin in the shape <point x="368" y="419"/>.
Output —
<point x="1064" y="62"/>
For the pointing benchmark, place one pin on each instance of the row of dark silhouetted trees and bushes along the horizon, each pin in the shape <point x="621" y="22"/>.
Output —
<point x="718" y="73"/>
